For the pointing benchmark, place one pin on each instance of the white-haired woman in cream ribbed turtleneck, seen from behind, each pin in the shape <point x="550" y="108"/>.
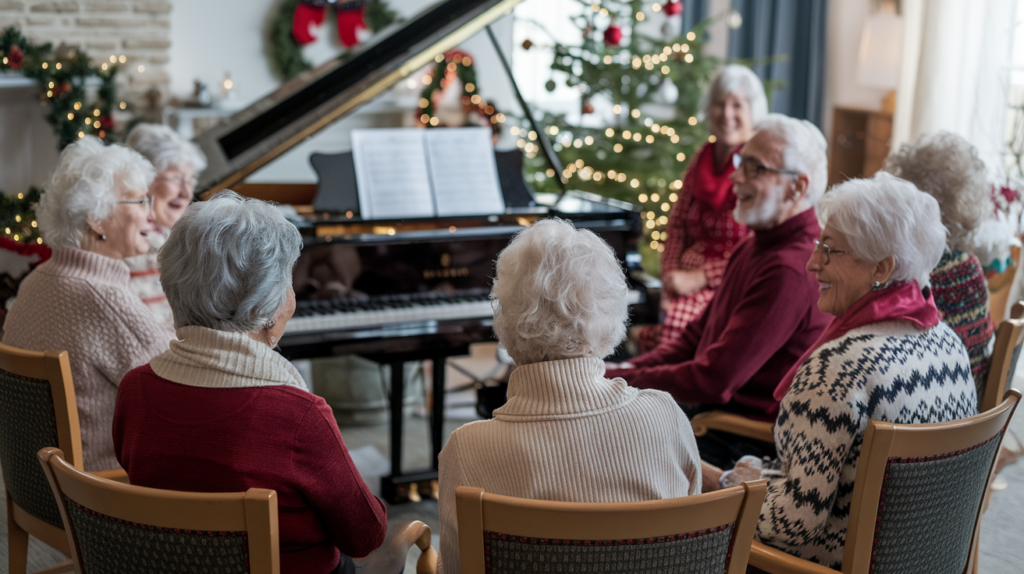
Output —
<point x="567" y="433"/>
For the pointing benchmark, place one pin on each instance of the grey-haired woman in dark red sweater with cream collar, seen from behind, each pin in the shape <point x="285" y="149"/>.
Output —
<point x="223" y="412"/>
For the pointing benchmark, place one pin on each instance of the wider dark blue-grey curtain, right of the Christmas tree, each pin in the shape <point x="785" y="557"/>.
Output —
<point x="787" y="40"/>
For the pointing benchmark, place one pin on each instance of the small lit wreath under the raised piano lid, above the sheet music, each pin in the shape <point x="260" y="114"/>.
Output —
<point x="455" y="65"/>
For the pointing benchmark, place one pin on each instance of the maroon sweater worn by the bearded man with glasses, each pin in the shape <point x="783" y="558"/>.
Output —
<point x="762" y="320"/>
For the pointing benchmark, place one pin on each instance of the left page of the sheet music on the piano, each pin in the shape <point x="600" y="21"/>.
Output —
<point x="392" y="173"/>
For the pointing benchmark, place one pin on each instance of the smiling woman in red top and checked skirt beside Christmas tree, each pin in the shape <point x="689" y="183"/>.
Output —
<point x="702" y="232"/>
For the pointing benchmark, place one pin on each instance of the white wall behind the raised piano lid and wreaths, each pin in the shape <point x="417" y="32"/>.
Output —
<point x="211" y="37"/>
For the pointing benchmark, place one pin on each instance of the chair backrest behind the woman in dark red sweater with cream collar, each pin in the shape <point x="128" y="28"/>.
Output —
<point x="119" y="528"/>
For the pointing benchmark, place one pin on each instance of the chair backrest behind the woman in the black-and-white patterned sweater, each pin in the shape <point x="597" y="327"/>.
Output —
<point x="919" y="494"/>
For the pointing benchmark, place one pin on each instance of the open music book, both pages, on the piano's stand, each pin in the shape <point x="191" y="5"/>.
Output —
<point x="414" y="172"/>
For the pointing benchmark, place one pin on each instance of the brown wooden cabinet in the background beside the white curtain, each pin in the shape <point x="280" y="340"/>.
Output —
<point x="860" y="144"/>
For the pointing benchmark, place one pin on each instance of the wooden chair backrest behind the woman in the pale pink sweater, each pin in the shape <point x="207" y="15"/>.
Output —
<point x="37" y="410"/>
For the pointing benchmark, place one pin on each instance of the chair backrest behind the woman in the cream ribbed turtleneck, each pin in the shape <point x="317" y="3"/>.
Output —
<point x="696" y="535"/>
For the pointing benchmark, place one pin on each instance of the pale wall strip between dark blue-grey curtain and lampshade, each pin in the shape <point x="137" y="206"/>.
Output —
<point x="846" y="19"/>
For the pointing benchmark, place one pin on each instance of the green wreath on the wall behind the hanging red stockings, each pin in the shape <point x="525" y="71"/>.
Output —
<point x="286" y="53"/>
